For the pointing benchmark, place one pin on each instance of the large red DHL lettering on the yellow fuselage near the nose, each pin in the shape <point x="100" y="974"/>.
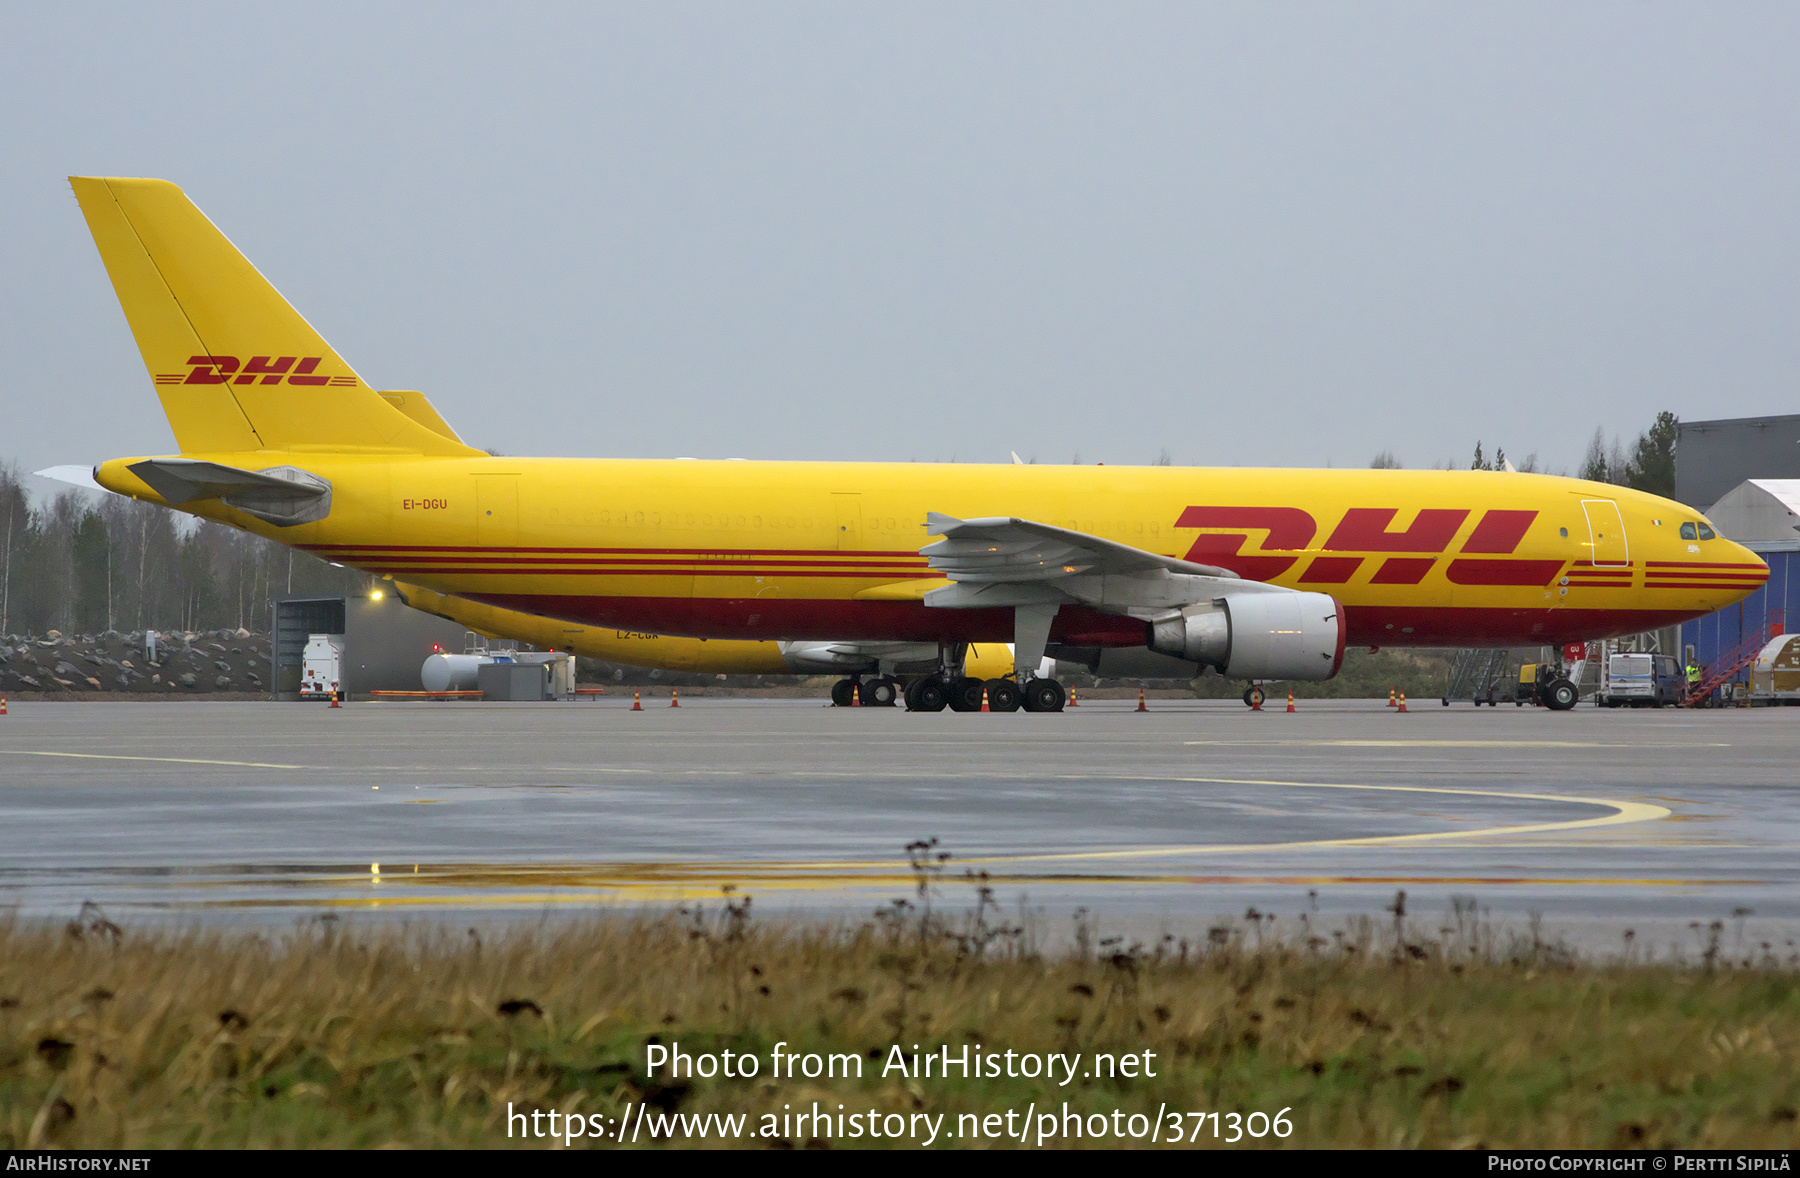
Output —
<point x="1367" y="530"/>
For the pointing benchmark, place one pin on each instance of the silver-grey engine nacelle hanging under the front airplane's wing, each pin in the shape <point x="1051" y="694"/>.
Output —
<point x="1259" y="635"/>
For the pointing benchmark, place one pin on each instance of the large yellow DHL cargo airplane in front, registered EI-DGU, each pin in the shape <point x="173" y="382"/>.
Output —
<point x="1259" y="574"/>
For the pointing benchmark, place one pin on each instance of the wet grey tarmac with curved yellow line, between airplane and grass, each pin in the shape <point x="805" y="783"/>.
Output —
<point x="247" y="811"/>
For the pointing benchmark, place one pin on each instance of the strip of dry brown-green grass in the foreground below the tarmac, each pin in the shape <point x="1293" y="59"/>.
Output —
<point x="355" y="1038"/>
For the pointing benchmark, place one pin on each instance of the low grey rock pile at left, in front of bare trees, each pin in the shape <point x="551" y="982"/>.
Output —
<point x="112" y="662"/>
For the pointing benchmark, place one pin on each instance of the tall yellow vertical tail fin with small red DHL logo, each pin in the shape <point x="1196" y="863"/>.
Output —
<point x="235" y="365"/>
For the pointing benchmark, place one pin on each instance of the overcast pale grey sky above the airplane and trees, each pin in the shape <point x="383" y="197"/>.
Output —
<point x="1248" y="233"/>
